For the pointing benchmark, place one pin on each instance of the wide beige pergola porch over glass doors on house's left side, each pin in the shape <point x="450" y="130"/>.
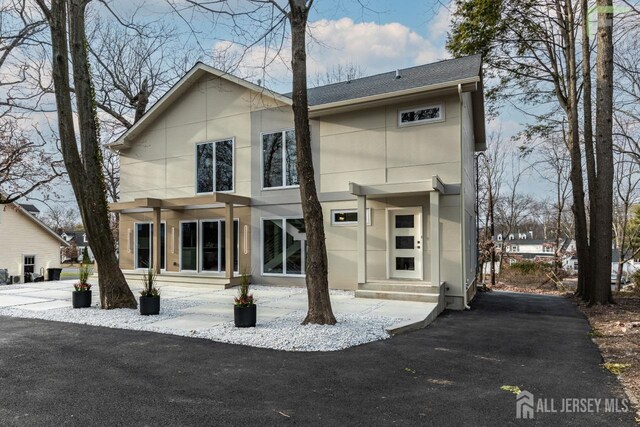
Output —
<point x="192" y="210"/>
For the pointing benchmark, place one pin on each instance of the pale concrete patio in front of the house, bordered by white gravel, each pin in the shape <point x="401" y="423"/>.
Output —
<point x="195" y="309"/>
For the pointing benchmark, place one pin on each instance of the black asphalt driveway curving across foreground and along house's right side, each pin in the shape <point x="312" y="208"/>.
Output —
<point x="448" y="374"/>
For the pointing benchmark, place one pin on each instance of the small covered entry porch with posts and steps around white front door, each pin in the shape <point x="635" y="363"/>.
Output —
<point x="406" y="277"/>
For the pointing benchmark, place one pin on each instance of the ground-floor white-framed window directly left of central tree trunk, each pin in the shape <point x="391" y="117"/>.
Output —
<point x="284" y="246"/>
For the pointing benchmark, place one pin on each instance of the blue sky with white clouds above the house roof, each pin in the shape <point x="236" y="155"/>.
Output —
<point x="375" y="35"/>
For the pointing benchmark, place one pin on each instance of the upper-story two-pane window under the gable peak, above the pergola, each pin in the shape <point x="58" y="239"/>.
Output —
<point x="214" y="166"/>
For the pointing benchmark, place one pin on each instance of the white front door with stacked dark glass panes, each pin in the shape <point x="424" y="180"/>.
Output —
<point x="405" y="243"/>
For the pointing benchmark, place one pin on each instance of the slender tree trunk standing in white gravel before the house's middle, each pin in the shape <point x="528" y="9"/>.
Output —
<point x="319" y="311"/>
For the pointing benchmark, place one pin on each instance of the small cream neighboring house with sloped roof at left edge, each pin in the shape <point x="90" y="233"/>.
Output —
<point x="28" y="245"/>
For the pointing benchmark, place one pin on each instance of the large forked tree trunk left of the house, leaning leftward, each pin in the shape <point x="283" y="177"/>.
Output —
<point x="85" y="173"/>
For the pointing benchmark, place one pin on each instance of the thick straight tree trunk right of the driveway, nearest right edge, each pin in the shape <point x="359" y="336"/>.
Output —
<point x="604" y="153"/>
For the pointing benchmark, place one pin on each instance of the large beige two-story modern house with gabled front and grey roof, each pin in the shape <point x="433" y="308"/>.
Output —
<point x="211" y="166"/>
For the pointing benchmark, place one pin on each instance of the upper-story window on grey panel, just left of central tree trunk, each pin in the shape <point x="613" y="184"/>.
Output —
<point x="279" y="159"/>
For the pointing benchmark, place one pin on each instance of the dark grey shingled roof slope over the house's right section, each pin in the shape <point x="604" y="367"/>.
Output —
<point x="409" y="78"/>
